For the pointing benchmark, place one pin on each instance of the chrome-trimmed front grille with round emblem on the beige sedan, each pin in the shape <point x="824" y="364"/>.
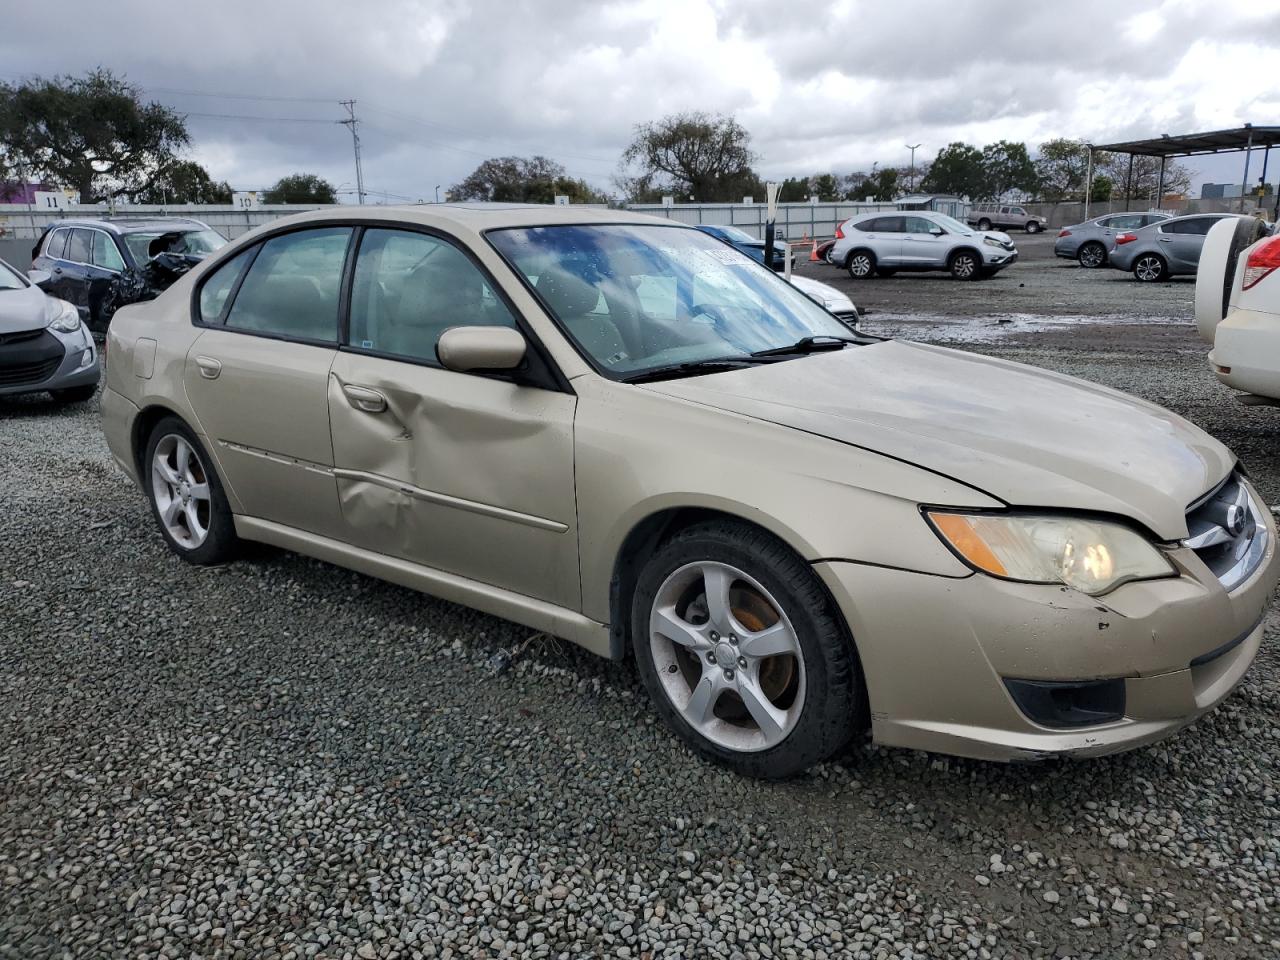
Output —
<point x="1228" y="532"/>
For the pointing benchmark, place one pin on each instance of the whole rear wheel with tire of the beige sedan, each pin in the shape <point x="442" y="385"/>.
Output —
<point x="191" y="513"/>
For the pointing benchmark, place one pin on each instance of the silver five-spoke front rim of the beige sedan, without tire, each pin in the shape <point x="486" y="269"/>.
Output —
<point x="728" y="657"/>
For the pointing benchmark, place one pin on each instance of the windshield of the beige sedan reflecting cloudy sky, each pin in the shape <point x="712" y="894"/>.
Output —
<point x="638" y="298"/>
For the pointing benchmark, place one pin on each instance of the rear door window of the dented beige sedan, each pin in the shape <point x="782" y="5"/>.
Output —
<point x="294" y="287"/>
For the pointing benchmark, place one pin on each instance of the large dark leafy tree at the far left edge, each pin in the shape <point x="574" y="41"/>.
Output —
<point x="93" y="134"/>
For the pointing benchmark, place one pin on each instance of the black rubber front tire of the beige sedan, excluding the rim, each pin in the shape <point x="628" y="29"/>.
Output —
<point x="834" y="706"/>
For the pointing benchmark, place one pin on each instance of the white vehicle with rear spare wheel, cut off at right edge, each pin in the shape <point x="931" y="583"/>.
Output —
<point x="1238" y="308"/>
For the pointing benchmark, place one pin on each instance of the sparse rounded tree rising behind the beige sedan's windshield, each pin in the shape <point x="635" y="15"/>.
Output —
<point x="703" y="156"/>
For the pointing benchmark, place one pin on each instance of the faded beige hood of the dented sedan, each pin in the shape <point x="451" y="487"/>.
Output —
<point x="1026" y="436"/>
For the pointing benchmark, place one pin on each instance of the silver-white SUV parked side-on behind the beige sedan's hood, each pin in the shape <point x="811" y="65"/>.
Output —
<point x="880" y="245"/>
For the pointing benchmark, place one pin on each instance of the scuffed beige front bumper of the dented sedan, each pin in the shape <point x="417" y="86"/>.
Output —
<point x="936" y="653"/>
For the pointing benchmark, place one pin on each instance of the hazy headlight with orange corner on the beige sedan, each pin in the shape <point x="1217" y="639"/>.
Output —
<point x="1091" y="556"/>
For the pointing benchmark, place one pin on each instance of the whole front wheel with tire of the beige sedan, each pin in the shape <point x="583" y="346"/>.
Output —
<point x="807" y="685"/>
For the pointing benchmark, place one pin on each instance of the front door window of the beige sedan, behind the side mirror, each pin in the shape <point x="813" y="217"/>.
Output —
<point x="409" y="289"/>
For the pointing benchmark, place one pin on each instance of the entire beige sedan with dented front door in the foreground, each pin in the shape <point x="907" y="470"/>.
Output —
<point x="789" y="528"/>
